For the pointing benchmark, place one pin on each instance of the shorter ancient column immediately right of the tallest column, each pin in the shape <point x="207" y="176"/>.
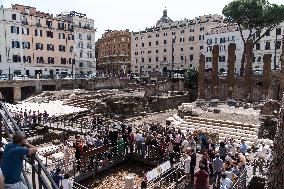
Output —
<point x="266" y="74"/>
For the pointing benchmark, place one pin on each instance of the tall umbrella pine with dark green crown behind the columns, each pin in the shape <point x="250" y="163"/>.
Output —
<point x="257" y="16"/>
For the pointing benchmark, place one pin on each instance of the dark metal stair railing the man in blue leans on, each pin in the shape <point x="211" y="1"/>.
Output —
<point x="40" y="176"/>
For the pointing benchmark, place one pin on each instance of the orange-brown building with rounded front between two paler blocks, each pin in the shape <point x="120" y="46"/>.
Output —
<point x="114" y="52"/>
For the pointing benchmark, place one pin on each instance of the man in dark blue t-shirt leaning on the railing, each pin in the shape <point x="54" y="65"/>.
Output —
<point x="12" y="162"/>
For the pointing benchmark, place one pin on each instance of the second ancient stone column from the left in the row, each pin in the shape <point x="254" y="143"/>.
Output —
<point x="215" y="77"/>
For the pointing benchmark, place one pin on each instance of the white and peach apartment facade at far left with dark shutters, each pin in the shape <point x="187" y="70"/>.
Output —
<point x="36" y="43"/>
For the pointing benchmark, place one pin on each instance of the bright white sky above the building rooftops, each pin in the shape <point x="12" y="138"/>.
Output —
<point x="128" y="14"/>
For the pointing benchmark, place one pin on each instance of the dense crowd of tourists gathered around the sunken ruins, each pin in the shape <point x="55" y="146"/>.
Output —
<point x="223" y="163"/>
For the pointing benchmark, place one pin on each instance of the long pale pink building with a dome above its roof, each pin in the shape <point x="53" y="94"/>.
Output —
<point x="170" y="45"/>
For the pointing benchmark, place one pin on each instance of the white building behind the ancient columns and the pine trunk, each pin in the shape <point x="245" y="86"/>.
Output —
<point x="225" y="34"/>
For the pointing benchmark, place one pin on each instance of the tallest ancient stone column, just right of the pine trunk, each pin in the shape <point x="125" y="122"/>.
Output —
<point x="248" y="71"/>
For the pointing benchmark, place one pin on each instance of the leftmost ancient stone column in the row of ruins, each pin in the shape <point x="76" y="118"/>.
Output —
<point x="201" y="77"/>
